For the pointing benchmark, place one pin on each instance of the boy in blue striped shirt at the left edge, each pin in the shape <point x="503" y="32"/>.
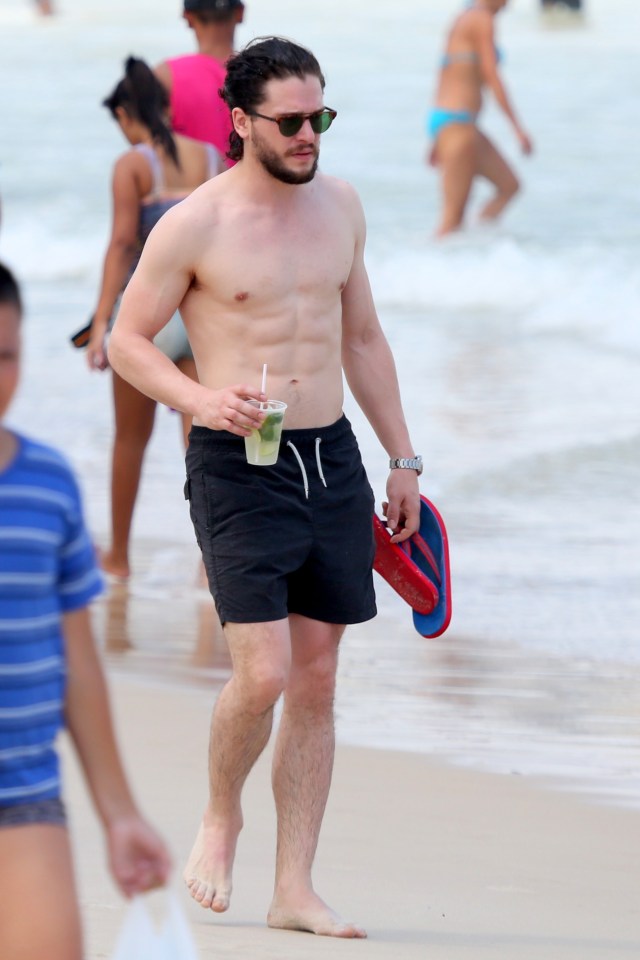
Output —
<point x="50" y="677"/>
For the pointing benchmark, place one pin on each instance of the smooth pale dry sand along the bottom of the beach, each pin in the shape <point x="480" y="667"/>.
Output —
<point x="434" y="861"/>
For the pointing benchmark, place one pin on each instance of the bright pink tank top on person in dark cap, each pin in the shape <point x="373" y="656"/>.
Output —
<point x="197" y="110"/>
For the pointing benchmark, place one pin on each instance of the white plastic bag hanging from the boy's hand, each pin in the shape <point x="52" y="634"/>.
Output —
<point x="140" y="939"/>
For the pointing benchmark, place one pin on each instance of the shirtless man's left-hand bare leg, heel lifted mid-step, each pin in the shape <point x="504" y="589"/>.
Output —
<point x="240" y="729"/>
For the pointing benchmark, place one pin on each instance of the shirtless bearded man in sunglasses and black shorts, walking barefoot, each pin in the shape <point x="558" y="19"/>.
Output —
<point x="266" y="265"/>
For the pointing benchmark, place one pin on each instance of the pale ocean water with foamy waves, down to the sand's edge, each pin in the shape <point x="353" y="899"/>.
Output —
<point x="517" y="346"/>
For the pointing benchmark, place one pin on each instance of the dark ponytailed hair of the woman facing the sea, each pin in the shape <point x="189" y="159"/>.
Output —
<point x="144" y="98"/>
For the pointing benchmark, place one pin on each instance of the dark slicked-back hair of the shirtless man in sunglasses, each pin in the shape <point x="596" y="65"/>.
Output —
<point x="263" y="59"/>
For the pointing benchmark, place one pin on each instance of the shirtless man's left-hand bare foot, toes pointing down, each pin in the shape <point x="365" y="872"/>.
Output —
<point x="209" y="868"/>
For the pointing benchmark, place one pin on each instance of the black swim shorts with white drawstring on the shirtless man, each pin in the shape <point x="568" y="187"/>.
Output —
<point x="296" y="537"/>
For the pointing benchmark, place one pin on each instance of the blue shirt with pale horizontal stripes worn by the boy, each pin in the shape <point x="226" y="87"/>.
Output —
<point x="47" y="568"/>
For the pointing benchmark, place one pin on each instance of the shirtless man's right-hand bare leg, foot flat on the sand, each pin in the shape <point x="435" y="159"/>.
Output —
<point x="302" y="768"/>
